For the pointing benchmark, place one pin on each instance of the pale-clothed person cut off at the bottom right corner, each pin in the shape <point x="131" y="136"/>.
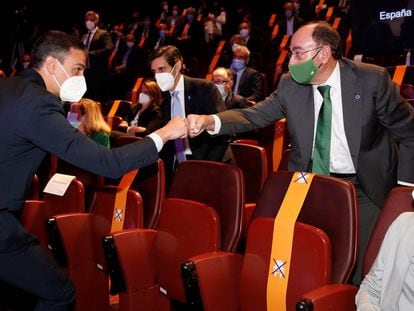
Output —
<point x="389" y="283"/>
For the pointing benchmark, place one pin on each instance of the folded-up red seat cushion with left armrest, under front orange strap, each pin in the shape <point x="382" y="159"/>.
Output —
<point x="229" y="281"/>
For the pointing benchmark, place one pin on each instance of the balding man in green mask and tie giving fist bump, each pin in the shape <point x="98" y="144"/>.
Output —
<point x="367" y="116"/>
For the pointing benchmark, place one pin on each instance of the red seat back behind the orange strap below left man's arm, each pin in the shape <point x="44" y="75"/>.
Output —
<point x="105" y="203"/>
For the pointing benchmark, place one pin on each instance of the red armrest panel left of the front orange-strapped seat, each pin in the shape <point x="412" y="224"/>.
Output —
<point x="217" y="279"/>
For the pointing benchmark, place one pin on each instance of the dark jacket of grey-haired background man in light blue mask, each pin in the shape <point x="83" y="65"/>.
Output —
<point x="251" y="85"/>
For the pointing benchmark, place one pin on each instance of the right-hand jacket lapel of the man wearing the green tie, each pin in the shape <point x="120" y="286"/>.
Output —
<point x="351" y="106"/>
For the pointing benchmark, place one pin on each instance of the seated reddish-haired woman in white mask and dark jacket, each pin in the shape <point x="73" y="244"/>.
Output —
<point x="145" y="115"/>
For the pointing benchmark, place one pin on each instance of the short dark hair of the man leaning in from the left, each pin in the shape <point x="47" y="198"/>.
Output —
<point x="54" y="43"/>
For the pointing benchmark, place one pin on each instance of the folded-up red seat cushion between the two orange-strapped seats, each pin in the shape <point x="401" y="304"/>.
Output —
<point x="186" y="228"/>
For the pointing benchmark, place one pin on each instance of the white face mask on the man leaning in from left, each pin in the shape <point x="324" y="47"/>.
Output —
<point x="73" y="88"/>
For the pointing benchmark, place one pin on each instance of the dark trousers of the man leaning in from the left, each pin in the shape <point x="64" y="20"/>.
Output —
<point x="24" y="265"/>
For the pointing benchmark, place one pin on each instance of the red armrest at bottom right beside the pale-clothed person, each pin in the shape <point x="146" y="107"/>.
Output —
<point x="338" y="297"/>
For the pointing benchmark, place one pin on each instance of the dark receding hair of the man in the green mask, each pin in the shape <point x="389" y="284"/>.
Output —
<point x="324" y="33"/>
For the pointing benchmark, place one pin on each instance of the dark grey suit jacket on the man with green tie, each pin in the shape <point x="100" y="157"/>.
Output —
<point x="374" y="115"/>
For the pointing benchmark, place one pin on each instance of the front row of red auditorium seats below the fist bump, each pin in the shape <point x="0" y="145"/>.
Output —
<point x="200" y="230"/>
